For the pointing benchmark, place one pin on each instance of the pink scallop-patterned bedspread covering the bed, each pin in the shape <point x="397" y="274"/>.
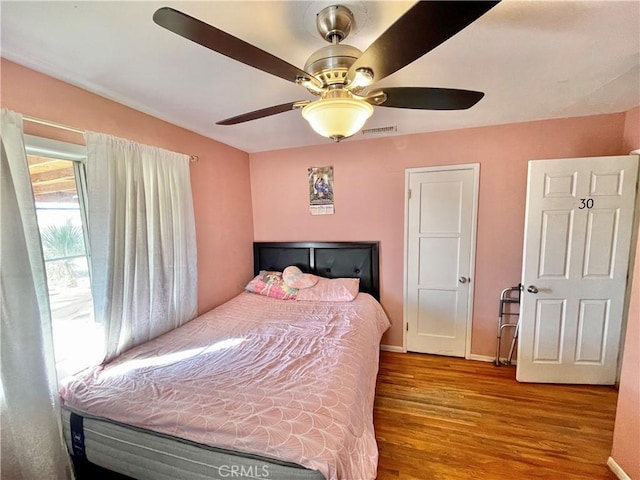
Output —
<point x="280" y="378"/>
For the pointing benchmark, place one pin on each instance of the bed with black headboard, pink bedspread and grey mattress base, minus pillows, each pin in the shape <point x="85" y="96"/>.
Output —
<point x="259" y="387"/>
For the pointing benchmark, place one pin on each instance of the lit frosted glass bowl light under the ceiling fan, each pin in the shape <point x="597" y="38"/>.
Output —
<point x="337" y="118"/>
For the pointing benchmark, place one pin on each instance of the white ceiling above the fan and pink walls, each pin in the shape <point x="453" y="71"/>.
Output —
<point x="533" y="59"/>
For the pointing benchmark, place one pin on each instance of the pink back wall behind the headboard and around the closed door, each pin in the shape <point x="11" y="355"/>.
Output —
<point x="369" y="196"/>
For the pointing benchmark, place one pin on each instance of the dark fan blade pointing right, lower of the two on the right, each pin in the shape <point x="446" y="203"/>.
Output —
<point x="425" y="98"/>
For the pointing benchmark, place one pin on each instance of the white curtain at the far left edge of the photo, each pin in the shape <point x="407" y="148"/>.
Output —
<point x="32" y="445"/>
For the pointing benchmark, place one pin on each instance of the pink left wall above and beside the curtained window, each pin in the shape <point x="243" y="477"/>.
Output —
<point x="222" y="208"/>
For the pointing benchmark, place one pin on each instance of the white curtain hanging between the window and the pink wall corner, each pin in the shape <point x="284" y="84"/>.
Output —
<point x="141" y="238"/>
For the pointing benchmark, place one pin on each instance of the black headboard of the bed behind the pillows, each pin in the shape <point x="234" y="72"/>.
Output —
<point x="325" y="259"/>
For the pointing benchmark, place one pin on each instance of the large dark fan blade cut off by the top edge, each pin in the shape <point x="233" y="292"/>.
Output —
<point x="421" y="29"/>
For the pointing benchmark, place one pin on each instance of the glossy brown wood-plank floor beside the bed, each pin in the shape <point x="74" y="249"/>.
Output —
<point x="443" y="418"/>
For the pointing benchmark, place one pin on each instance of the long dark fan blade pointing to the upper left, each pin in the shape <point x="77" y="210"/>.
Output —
<point x="226" y="44"/>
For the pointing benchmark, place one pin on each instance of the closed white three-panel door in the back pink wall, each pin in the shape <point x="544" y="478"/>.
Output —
<point x="440" y="243"/>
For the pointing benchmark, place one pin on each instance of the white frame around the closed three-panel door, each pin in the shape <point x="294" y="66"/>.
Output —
<point x="475" y="167"/>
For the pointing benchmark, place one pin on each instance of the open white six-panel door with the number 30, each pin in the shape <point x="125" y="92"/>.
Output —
<point x="578" y="228"/>
